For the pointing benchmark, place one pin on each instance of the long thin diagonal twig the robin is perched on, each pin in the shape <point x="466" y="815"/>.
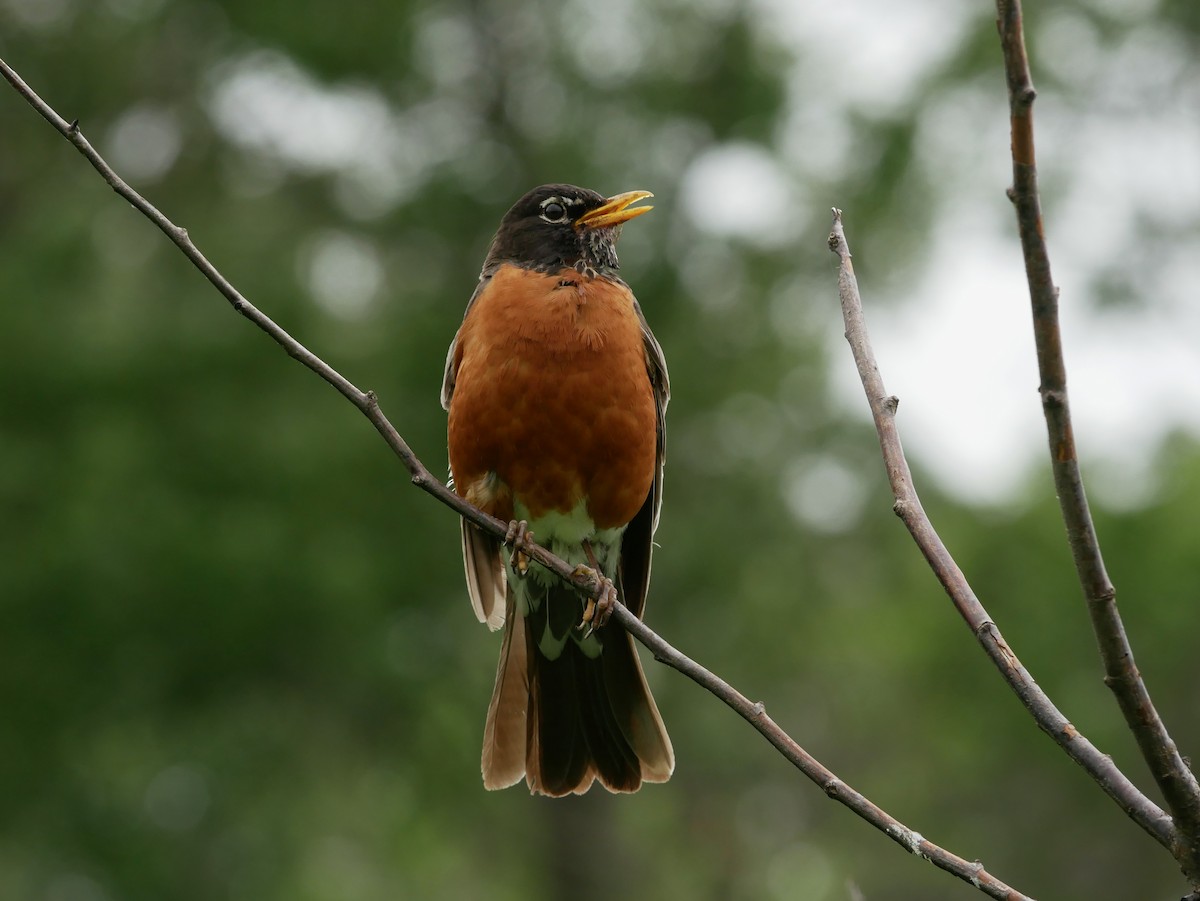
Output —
<point x="911" y="842"/>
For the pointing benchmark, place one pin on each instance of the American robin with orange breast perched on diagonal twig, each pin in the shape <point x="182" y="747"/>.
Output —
<point x="557" y="392"/>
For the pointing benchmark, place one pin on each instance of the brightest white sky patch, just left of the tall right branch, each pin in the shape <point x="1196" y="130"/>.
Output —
<point x="959" y="356"/>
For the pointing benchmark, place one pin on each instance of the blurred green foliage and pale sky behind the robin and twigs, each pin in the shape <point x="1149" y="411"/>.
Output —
<point x="238" y="660"/>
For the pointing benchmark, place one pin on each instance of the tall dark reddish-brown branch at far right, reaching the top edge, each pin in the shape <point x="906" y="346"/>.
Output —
<point x="1174" y="779"/>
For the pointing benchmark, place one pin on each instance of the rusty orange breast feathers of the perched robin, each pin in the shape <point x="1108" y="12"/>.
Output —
<point x="553" y="398"/>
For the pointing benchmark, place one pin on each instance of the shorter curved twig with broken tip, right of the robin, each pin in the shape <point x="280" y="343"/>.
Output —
<point x="908" y="507"/>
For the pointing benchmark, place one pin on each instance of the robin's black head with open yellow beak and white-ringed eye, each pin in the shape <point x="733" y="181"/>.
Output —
<point x="557" y="226"/>
